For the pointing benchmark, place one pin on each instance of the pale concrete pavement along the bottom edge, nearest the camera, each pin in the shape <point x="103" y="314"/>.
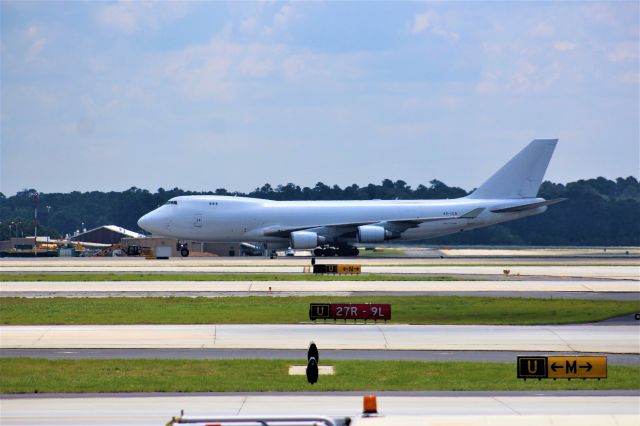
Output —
<point x="453" y="409"/>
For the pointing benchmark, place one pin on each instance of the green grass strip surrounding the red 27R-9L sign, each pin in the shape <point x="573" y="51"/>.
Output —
<point x="257" y="310"/>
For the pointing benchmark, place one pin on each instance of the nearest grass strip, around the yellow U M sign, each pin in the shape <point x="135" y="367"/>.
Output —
<point x="29" y="375"/>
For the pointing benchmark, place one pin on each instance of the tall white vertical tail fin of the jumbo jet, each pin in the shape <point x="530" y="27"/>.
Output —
<point x="522" y="175"/>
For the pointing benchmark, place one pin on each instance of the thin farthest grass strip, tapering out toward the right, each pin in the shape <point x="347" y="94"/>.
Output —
<point x="217" y="277"/>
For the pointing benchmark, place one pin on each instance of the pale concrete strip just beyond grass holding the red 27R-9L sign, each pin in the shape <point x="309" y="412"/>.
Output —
<point x="604" y="290"/>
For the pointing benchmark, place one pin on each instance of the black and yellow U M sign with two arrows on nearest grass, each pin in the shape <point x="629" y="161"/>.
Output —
<point x="562" y="367"/>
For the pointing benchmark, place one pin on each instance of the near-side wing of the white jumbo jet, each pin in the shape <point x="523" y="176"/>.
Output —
<point x="397" y="225"/>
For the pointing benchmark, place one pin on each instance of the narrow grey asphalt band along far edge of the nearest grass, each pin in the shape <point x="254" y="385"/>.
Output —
<point x="327" y="354"/>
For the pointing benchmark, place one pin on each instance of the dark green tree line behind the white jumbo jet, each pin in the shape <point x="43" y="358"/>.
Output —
<point x="598" y="212"/>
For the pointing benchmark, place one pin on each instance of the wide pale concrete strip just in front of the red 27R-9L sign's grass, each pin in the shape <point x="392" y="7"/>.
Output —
<point x="571" y="338"/>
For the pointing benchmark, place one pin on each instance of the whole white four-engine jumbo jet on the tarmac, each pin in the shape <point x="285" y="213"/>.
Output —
<point x="333" y="227"/>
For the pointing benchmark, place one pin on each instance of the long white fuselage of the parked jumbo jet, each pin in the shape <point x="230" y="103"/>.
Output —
<point x="237" y="219"/>
